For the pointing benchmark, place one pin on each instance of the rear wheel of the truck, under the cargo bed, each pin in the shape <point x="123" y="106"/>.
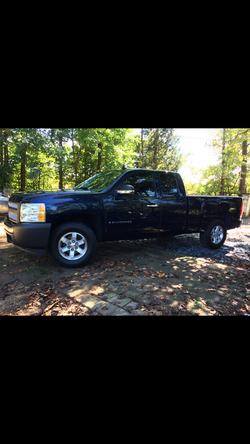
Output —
<point x="215" y="235"/>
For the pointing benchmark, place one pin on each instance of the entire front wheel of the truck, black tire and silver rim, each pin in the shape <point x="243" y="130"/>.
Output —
<point x="72" y="244"/>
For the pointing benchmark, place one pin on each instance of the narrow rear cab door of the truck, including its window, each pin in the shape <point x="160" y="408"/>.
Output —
<point x="173" y="203"/>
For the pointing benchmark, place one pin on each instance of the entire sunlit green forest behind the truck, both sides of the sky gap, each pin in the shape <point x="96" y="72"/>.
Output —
<point x="52" y="158"/>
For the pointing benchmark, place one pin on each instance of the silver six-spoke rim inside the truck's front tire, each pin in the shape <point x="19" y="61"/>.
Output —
<point x="72" y="246"/>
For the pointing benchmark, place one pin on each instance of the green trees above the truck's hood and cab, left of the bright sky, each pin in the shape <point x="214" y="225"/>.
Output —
<point x="40" y="158"/>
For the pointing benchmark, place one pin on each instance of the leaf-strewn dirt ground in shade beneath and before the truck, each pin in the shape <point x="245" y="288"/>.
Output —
<point x="122" y="280"/>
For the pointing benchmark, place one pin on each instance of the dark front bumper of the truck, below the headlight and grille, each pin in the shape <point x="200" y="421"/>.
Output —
<point x="33" y="238"/>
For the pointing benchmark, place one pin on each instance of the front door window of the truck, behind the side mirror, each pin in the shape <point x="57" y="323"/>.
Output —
<point x="143" y="184"/>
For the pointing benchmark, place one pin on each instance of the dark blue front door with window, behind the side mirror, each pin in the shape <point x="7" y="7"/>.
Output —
<point x="134" y="216"/>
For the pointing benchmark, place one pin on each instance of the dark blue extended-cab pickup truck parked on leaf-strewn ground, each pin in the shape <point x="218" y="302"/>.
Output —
<point x="115" y="205"/>
